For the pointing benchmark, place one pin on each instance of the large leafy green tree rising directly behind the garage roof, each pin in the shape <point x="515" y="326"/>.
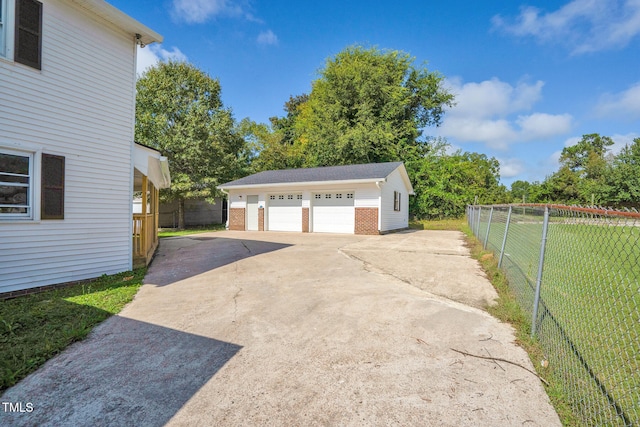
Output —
<point x="369" y="105"/>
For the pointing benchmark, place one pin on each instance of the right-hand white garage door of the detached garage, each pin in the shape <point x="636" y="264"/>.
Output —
<point x="333" y="213"/>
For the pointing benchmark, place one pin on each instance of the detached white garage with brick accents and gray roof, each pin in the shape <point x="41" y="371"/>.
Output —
<point x="362" y="199"/>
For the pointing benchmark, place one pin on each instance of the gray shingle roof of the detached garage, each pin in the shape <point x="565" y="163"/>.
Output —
<point x="328" y="173"/>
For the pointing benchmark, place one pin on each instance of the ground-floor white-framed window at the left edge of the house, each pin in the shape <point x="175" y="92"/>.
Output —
<point x="16" y="185"/>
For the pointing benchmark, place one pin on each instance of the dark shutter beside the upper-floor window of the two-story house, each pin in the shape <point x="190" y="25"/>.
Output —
<point x="28" y="37"/>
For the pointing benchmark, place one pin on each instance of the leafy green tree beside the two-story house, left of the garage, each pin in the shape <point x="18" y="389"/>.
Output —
<point x="180" y="113"/>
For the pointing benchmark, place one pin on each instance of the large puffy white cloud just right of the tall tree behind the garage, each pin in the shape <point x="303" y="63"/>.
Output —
<point x="483" y="113"/>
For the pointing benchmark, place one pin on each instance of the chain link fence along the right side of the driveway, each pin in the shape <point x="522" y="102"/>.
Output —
<point x="576" y="272"/>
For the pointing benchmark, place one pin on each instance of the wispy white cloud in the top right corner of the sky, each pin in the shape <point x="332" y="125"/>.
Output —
<point x="582" y="25"/>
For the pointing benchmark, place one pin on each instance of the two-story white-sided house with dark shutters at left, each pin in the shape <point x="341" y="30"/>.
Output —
<point x="67" y="111"/>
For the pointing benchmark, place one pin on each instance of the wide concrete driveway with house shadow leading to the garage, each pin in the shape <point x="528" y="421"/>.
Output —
<point x="243" y="328"/>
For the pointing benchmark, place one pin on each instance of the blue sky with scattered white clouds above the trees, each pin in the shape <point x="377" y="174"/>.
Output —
<point x="530" y="77"/>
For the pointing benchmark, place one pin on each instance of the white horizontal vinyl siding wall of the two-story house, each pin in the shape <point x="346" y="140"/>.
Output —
<point x="80" y="106"/>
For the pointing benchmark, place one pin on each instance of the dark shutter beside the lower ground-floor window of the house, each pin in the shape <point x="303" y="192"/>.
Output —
<point x="52" y="198"/>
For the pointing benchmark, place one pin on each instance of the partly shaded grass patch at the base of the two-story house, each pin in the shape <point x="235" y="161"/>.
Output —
<point x="34" y="328"/>
